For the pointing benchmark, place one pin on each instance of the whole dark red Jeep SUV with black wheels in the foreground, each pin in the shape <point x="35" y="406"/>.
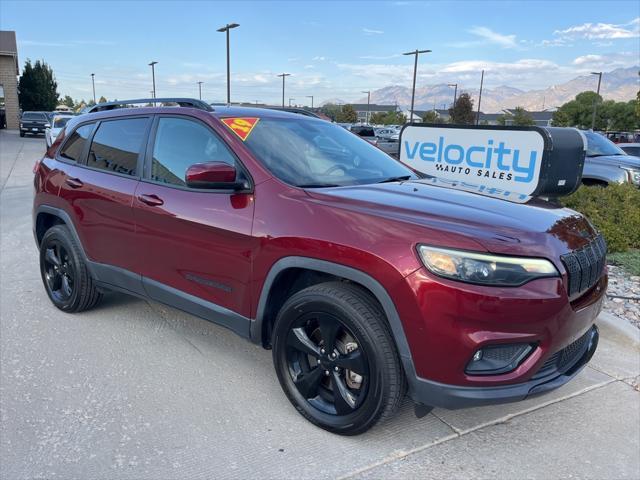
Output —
<point x="367" y="281"/>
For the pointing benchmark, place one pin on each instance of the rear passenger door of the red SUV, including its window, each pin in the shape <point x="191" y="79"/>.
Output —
<point x="100" y="190"/>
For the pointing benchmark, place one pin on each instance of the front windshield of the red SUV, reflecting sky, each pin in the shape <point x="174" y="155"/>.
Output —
<point x="316" y="153"/>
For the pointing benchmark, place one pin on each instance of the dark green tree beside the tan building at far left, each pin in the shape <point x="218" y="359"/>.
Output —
<point x="37" y="87"/>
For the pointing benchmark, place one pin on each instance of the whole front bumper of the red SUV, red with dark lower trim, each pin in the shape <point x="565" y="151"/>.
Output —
<point x="446" y="322"/>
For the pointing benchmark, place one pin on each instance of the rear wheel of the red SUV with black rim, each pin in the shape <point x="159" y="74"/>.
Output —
<point x="64" y="273"/>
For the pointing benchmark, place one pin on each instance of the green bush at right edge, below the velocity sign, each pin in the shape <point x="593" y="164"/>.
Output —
<point x="614" y="210"/>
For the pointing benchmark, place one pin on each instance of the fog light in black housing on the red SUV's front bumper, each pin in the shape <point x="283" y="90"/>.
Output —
<point x="498" y="359"/>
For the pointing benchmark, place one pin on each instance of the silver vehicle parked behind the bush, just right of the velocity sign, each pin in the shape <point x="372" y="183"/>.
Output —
<point x="607" y="163"/>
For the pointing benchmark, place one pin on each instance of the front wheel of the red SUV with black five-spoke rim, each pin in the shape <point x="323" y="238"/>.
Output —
<point x="347" y="387"/>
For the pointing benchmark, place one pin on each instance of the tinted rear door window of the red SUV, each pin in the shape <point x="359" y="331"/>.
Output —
<point x="116" y="145"/>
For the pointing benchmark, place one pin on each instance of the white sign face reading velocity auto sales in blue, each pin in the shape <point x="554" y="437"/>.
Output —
<point x="502" y="159"/>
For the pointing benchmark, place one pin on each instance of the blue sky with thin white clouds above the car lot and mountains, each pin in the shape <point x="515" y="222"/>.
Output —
<point x="332" y="49"/>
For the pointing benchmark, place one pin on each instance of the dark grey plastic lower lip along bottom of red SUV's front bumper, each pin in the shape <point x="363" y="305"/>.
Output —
<point x="453" y="397"/>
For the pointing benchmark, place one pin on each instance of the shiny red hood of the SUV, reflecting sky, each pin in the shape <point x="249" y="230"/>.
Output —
<point x="534" y="228"/>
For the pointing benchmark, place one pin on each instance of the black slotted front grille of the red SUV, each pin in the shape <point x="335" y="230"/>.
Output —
<point x="585" y="266"/>
